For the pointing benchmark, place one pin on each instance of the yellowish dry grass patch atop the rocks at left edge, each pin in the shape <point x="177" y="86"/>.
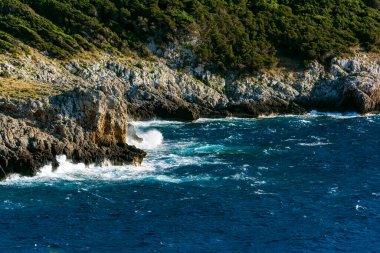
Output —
<point x="22" y="89"/>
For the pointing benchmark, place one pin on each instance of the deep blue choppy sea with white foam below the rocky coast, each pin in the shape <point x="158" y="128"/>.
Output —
<point x="275" y="184"/>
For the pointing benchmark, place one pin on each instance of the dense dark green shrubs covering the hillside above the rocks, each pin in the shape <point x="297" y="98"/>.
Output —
<point x="243" y="35"/>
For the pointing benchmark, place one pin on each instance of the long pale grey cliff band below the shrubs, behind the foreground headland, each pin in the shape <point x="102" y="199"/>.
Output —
<point x="157" y="88"/>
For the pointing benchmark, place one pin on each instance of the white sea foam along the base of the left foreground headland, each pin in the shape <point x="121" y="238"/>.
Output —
<point x="152" y="168"/>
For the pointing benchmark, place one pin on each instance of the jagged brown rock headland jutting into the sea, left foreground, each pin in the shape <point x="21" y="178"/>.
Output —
<point x="86" y="125"/>
